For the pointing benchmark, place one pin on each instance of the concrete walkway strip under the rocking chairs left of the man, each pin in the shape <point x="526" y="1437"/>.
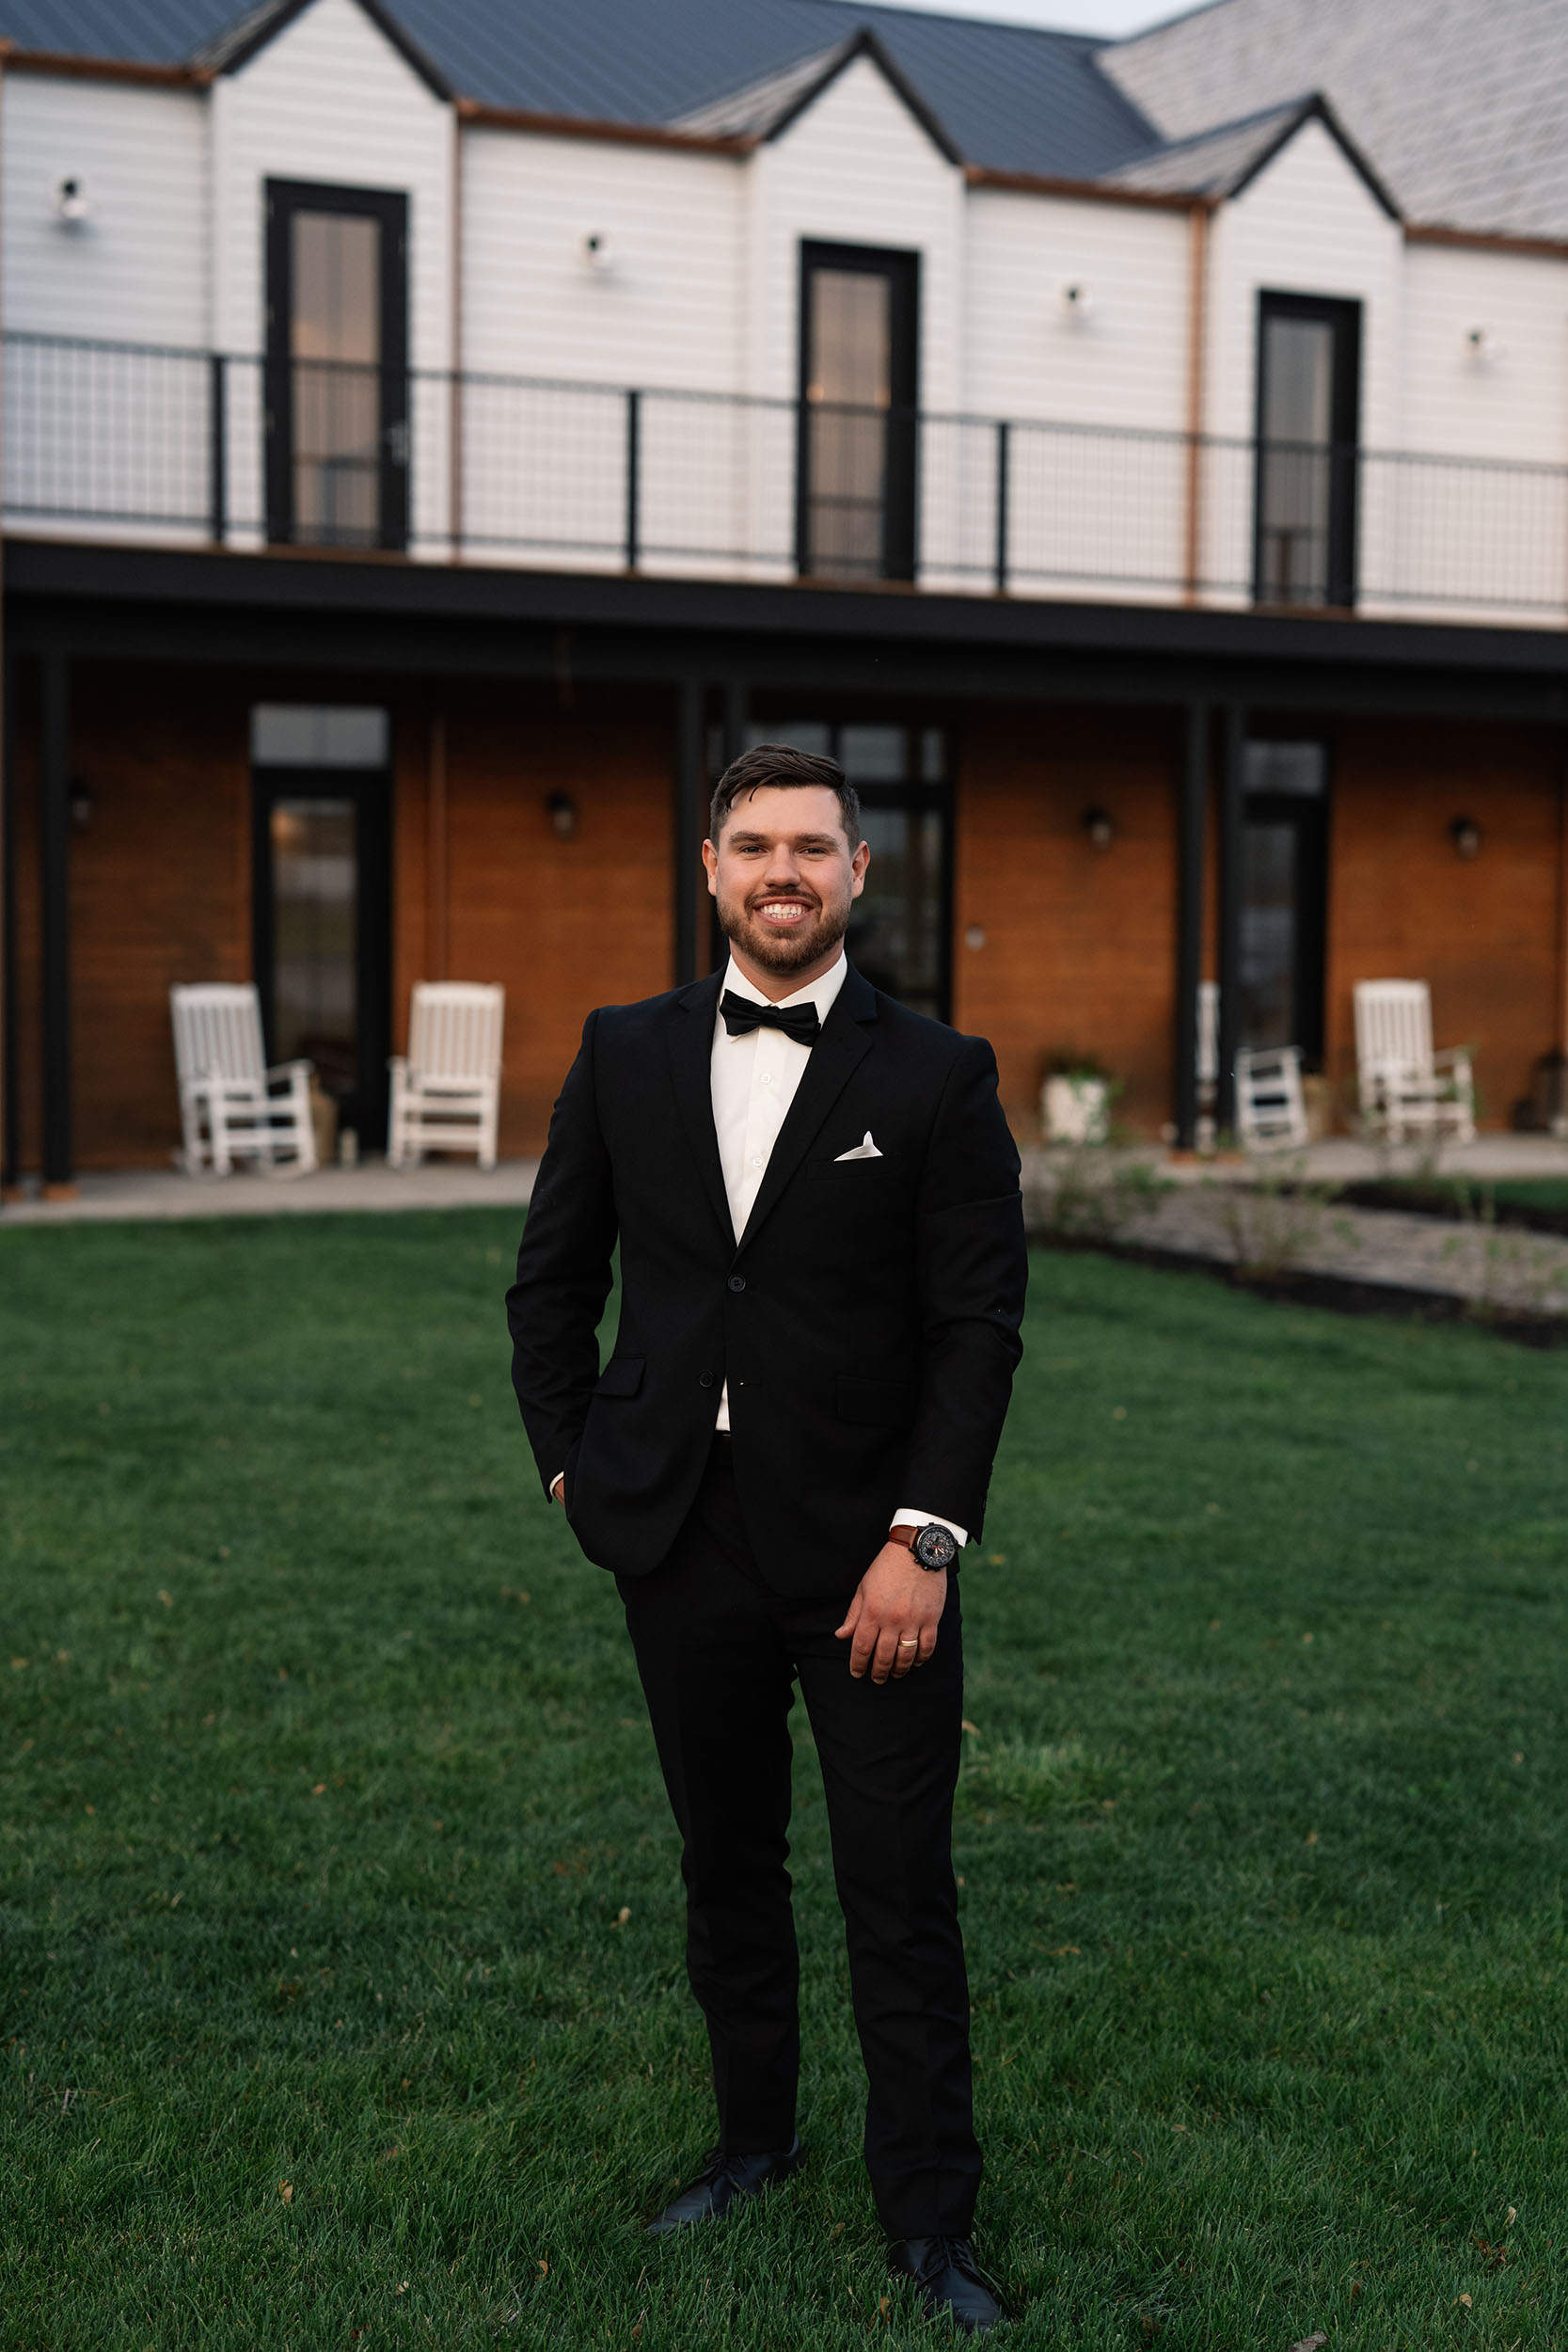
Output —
<point x="168" y="1196"/>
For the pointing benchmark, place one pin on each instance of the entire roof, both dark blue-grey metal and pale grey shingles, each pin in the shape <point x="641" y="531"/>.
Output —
<point x="1459" y="109"/>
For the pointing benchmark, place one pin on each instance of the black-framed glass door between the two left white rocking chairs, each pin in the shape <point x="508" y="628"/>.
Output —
<point x="323" y="933"/>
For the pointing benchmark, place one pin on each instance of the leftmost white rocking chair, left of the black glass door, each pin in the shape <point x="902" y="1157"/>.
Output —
<point x="232" y="1104"/>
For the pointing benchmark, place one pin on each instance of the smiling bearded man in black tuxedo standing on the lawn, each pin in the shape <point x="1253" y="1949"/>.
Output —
<point x="822" y="1288"/>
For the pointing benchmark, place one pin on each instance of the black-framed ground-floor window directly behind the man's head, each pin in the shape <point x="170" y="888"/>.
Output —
<point x="902" y="923"/>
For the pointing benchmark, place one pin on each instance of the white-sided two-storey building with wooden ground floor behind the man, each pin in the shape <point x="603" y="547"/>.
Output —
<point x="436" y="439"/>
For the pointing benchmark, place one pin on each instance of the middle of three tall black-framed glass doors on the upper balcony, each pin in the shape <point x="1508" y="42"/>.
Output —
<point x="859" y="399"/>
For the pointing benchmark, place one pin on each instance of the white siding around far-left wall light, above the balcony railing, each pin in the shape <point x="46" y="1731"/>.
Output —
<point x="138" y="267"/>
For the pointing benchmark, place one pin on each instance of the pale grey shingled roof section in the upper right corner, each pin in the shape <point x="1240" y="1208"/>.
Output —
<point x="1461" y="105"/>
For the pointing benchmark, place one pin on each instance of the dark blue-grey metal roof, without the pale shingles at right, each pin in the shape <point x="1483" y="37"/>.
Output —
<point x="1012" y="98"/>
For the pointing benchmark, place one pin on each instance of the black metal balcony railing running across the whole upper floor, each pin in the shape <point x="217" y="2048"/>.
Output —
<point x="154" y="446"/>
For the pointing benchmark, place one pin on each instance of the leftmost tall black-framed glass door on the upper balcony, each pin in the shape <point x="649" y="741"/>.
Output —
<point x="337" y="366"/>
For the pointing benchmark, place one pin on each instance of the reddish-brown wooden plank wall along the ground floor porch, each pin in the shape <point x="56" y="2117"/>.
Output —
<point x="1078" y="954"/>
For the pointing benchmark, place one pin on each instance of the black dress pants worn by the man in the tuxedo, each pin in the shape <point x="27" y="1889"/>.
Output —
<point x="721" y="1655"/>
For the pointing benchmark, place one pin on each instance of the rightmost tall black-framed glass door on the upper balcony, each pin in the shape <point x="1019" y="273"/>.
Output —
<point x="1308" y="432"/>
